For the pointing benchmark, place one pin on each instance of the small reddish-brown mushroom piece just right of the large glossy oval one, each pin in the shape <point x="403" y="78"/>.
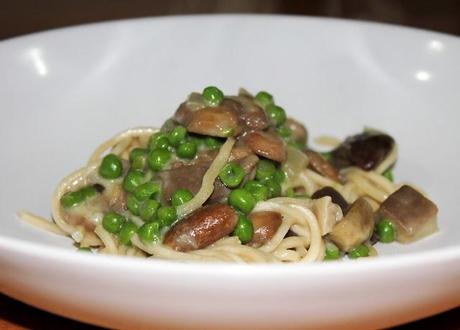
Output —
<point x="266" y="224"/>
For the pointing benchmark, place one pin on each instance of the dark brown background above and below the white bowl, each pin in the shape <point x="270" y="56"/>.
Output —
<point x="27" y="16"/>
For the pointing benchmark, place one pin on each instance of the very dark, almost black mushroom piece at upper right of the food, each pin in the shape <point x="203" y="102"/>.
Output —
<point x="366" y="150"/>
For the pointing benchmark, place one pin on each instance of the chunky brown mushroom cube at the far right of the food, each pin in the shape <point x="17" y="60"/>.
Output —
<point x="413" y="215"/>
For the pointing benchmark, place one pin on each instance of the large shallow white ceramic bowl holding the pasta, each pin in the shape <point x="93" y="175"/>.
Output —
<point x="63" y="92"/>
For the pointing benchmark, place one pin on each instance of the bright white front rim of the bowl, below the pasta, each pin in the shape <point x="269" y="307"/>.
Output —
<point x="447" y="254"/>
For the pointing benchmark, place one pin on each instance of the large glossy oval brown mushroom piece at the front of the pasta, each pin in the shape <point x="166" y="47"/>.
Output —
<point x="203" y="227"/>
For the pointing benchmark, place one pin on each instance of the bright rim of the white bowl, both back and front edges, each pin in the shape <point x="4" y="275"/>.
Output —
<point x="59" y="254"/>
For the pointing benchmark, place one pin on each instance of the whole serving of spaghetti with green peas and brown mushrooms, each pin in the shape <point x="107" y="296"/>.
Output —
<point x="232" y="180"/>
